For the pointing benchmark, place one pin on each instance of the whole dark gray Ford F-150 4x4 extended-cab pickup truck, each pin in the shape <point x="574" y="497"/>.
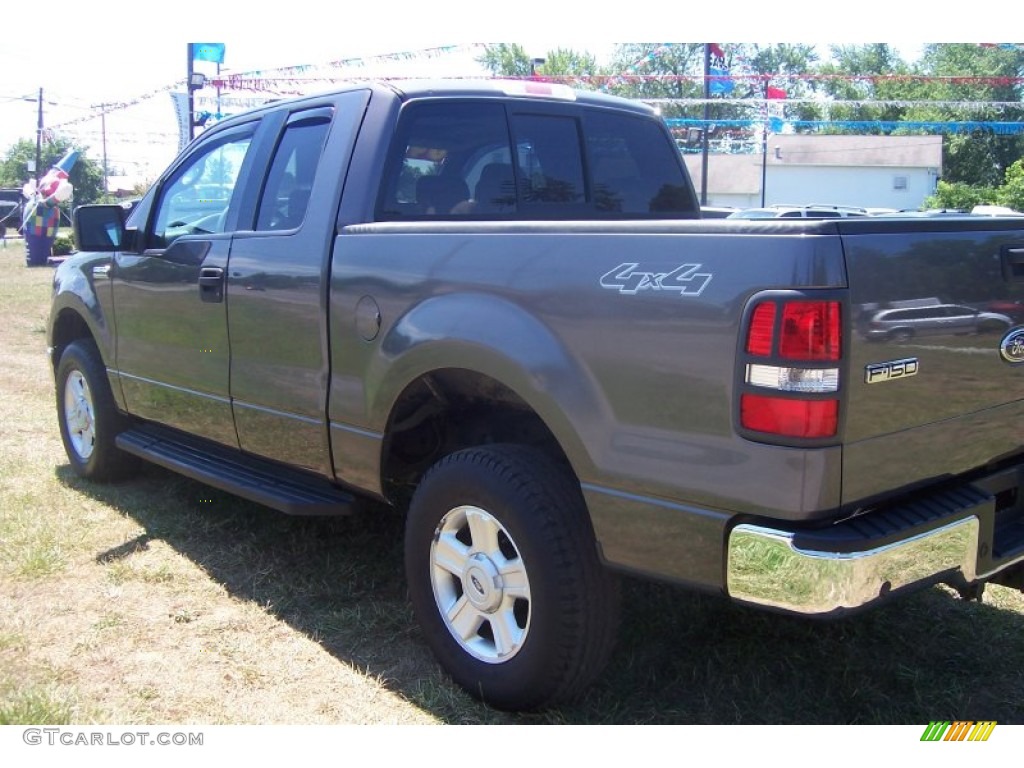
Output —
<point x="494" y="307"/>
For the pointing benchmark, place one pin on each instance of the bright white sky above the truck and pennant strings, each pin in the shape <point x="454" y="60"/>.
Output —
<point x="94" y="53"/>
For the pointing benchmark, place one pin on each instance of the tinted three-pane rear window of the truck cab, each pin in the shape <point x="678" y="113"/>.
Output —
<point x="474" y="160"/>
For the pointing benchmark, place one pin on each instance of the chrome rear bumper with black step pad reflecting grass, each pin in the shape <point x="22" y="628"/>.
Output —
<point x="962" y="534"/>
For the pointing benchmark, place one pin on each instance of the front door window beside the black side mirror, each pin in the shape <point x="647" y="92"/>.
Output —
<point x="196" y="199"/>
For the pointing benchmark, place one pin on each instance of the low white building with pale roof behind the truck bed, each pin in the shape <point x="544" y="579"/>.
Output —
<point x="867" y="172"/>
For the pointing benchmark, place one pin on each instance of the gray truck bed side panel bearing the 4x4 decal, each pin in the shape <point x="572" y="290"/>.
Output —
<point x="636" y="381"/>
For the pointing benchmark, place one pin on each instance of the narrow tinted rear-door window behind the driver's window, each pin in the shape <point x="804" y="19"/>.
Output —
<point x="289" y="185"/>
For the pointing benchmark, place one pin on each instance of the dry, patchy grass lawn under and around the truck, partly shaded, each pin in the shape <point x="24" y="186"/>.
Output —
<point x="163" y="602"/>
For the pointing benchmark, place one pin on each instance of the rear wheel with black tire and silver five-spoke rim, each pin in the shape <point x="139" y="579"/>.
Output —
<point x="516" y="528"/>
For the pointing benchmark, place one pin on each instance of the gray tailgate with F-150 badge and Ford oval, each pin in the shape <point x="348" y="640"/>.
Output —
<point x="930" y="394"/>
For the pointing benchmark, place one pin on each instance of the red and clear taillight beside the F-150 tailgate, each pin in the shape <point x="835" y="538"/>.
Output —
<point x="787" y="377"/>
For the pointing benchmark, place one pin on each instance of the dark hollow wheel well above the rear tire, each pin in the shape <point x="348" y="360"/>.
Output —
<point x="451" y="410"/>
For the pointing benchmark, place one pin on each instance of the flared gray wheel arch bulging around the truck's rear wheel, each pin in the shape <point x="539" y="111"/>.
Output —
<point x="499" y="339"/>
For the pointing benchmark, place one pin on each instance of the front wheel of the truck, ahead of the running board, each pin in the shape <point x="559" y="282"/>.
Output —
<point x="90" y="420"/>
